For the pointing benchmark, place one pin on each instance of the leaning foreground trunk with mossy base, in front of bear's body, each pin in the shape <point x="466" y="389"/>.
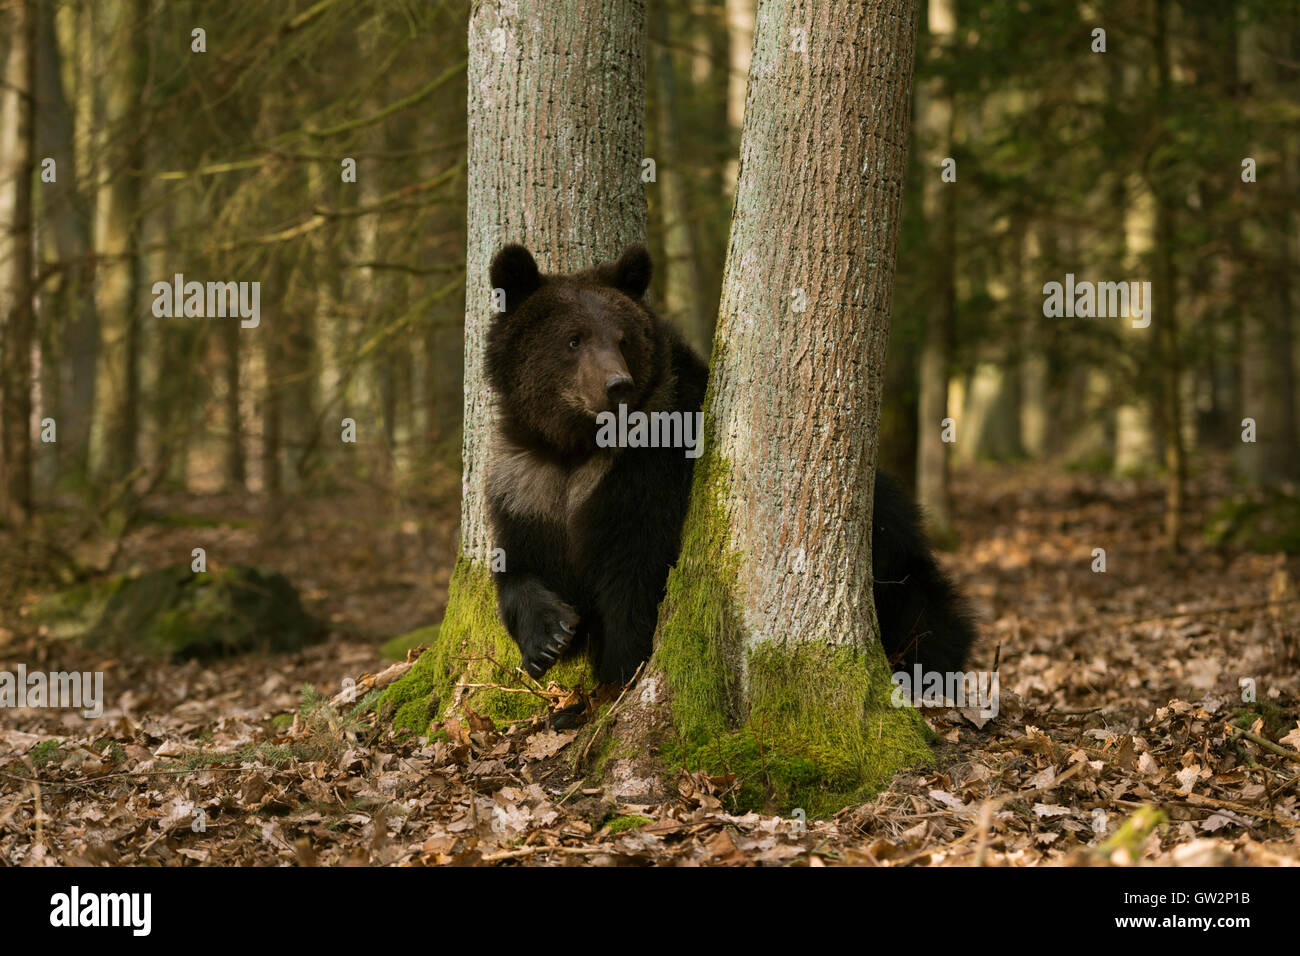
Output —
<point x="768" y="660"/>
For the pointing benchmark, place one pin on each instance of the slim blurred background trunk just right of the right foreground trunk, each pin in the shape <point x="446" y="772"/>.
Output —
<point x="937" y="116"/>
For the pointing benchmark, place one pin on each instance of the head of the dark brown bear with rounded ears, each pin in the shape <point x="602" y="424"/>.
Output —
<point x="570" y="347"/>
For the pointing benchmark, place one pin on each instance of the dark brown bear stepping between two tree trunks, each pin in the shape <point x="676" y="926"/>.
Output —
<point x="591" y="527"/>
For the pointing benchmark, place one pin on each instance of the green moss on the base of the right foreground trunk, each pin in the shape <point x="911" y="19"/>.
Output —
<point x="818" y="730"/>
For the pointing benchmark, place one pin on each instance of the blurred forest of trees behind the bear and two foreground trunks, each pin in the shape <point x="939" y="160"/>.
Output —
<point x="1173" y="157"/>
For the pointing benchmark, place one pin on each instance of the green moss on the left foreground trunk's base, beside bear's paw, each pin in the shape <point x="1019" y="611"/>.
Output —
<point x="471" y="650"/>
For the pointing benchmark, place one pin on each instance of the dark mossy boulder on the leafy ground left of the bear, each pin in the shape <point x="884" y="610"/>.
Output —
<point x="176" y="613"/>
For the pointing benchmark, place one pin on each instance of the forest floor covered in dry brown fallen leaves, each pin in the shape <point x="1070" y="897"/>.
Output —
<point x="1123" y="736"/>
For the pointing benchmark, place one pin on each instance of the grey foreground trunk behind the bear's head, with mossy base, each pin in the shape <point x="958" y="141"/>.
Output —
<point x="557" y="137"/>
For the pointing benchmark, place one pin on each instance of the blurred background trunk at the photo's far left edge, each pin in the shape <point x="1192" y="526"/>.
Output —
<point x="18" y="166"/>
